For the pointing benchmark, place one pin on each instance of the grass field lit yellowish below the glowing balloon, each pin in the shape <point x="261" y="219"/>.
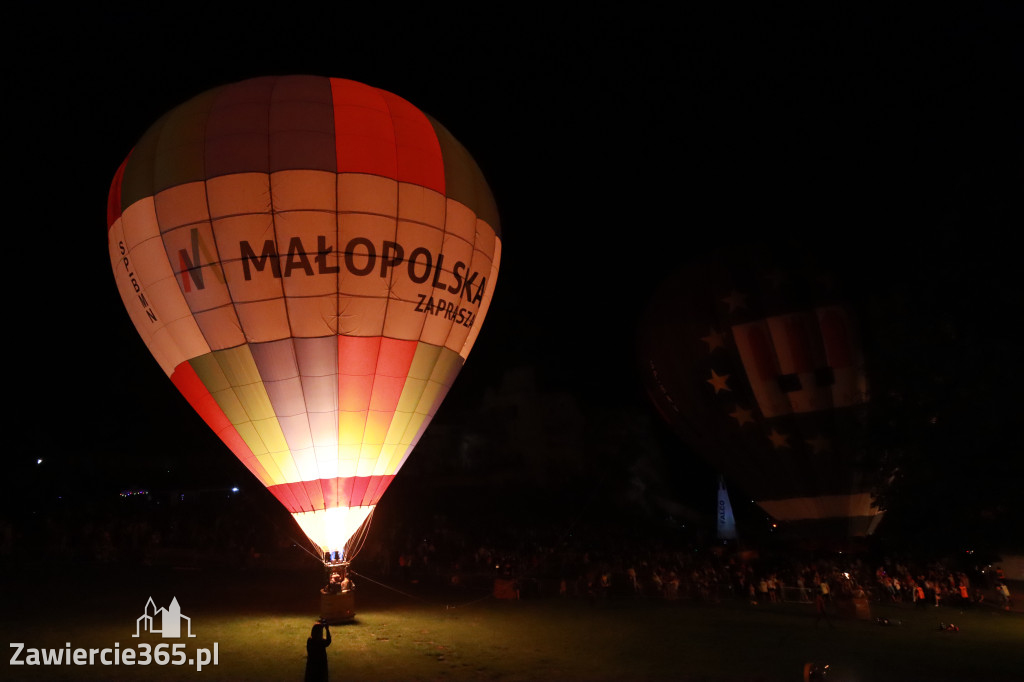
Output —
<point x="261" y="621"/>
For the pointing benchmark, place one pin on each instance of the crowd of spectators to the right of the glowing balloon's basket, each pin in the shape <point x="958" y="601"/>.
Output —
<point x="604" y="565"/>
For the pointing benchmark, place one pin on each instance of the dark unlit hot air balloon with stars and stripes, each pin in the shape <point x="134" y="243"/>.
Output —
<point x="759" y="368"/>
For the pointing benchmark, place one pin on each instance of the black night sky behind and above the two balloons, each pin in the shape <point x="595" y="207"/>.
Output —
<point x="620" y="145"/>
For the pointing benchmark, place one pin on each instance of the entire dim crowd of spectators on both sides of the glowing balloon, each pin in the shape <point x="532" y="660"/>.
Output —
<point x="585" y="562"/>
